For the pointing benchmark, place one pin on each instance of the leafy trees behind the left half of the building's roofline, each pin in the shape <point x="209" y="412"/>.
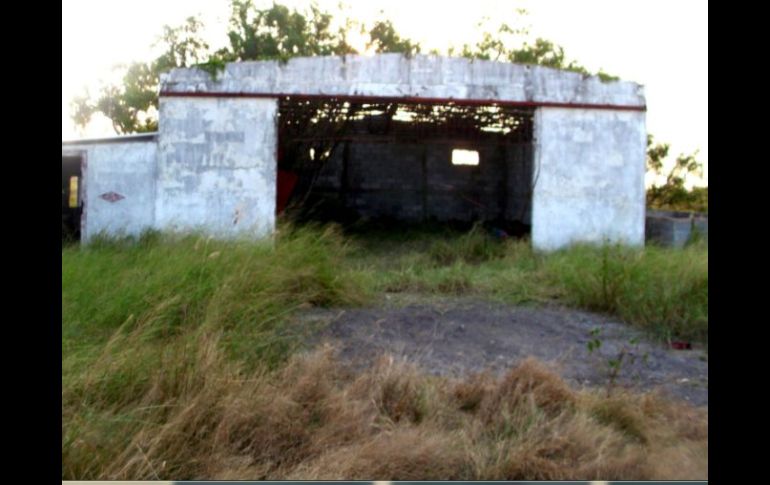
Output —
<point x="274" y="33"/>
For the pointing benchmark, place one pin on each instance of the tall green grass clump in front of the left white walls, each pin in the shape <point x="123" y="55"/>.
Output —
<point x="159" y="289"/>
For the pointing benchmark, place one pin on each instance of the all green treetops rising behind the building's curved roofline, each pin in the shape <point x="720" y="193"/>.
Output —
<point x="280" y="33"/>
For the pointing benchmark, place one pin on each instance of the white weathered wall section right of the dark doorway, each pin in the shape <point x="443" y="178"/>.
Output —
<point x="589" y="177"/>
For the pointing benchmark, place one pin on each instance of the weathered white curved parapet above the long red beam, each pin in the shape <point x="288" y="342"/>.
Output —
<point x="395" y="75"/>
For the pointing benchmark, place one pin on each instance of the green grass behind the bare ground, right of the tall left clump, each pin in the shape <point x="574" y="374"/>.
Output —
<point x="662" y="290"/>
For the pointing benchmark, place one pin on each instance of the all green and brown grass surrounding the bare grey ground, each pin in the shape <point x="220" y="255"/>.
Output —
<point x="177" y="362"/>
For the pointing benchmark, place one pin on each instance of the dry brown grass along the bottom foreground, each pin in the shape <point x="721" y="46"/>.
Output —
<point x="312" y="419"/>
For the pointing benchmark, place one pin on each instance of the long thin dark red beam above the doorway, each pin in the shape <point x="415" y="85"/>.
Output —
<point x="404" y="99"/>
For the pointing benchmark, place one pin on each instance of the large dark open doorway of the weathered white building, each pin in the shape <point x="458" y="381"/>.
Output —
<point x="346" y="159"/>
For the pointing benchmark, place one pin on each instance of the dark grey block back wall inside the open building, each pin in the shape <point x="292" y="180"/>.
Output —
<point x="414" y="182"/>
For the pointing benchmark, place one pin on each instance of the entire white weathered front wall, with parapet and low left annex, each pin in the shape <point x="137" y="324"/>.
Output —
<point x="214" y="166"/>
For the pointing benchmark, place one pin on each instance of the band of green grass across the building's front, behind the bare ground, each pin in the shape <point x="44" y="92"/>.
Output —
<point x="168" y="283"/>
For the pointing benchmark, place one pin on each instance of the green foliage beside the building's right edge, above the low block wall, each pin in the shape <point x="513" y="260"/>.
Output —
<point x="672" y="194"/>
